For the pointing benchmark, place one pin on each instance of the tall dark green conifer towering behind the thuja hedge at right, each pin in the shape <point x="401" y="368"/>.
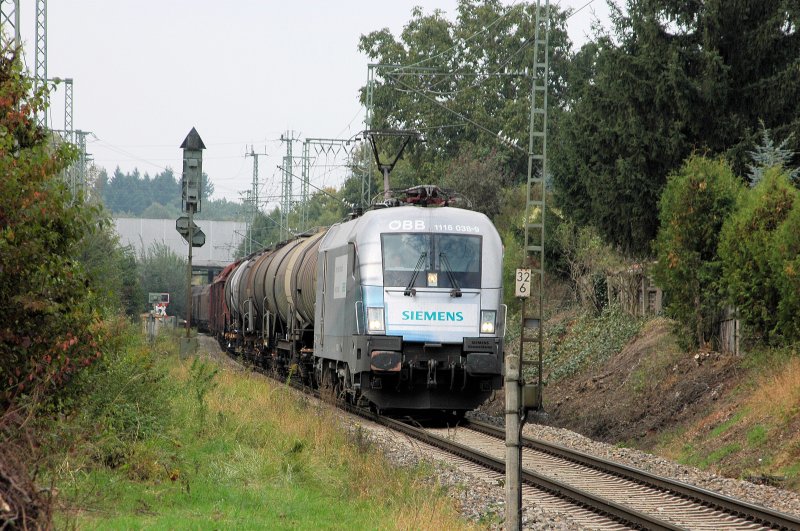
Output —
<point x="673" y="77"/>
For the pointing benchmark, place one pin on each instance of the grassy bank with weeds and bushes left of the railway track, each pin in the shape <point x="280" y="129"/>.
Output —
<point x="220" y="448"/>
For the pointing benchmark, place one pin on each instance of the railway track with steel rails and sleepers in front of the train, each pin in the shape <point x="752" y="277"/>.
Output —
<point x="597" y="493"/>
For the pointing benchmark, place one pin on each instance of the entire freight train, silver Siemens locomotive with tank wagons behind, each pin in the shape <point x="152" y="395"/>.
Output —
<point x="400" y="308"/>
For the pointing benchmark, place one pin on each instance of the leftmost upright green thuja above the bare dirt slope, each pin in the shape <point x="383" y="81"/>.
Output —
<point x="696" y="201"/>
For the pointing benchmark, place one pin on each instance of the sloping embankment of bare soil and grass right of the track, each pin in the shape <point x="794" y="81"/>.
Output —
<point x="615" y="376"/>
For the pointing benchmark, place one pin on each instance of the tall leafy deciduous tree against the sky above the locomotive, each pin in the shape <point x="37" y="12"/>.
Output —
<point x="461" y="82"/>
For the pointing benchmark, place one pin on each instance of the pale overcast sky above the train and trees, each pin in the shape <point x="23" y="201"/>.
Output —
<point x="242" y="72"/>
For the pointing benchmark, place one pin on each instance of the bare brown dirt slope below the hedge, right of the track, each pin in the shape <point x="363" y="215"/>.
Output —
<point x="649" y="387"/>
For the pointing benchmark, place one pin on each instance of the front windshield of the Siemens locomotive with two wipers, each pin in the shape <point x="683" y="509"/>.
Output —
<point x="440" y="260"/>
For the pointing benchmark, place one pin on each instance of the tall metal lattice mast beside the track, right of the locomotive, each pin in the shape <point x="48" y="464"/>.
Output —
<point x="537" y="172"/>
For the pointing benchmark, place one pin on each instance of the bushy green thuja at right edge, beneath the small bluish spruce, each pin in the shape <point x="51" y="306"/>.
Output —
<point x="749" y="260"/>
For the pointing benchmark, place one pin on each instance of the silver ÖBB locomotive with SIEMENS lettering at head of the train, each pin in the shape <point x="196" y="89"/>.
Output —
<point x="424" y="286"/>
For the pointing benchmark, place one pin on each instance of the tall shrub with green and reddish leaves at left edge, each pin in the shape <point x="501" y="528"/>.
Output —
<point x="47" y="322"/>
